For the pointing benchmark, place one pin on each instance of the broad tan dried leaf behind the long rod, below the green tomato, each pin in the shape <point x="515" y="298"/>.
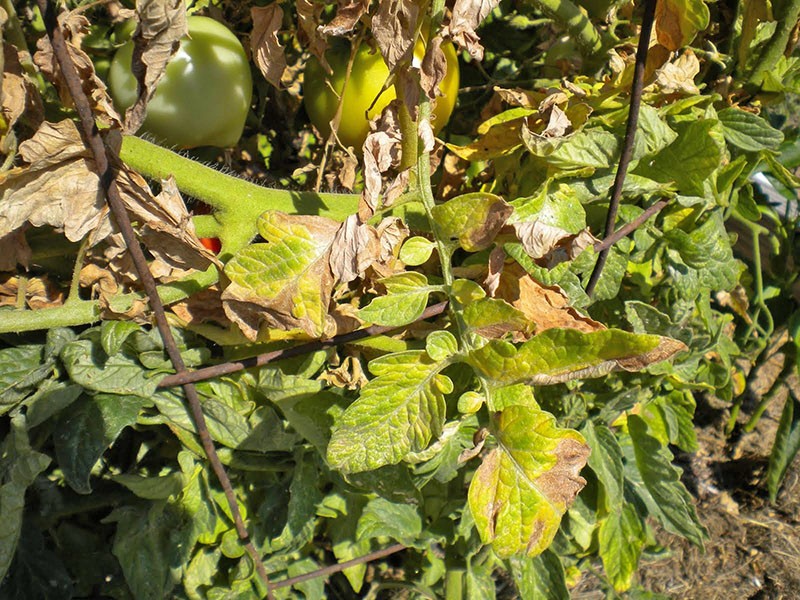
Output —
<point x="59" y="187"/>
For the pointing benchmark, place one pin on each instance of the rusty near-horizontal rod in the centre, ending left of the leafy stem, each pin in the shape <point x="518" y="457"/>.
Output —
<point x="300" y="350"/>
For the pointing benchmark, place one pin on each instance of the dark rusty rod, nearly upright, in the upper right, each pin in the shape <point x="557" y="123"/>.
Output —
<point x="630" y="135"/>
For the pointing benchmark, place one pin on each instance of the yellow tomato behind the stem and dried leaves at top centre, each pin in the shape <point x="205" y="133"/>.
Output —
<point x="367" y="77"/>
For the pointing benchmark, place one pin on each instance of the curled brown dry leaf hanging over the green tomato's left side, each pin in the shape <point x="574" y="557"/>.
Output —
<point x="162" y="24"/>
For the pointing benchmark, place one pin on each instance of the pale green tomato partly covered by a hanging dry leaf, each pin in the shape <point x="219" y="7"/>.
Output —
<point x="203" y="97"/>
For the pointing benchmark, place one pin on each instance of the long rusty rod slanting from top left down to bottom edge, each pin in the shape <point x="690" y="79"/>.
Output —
<point x="101" y="155"/>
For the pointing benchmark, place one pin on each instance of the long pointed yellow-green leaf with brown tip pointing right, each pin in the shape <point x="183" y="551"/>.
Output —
<point x="558" y="355"/>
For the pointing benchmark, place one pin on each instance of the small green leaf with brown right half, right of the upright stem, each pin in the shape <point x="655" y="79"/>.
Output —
<point x="473" y="219"/>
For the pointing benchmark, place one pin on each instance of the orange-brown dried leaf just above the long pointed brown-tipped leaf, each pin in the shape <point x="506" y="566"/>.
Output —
<point x="547" y="306"/>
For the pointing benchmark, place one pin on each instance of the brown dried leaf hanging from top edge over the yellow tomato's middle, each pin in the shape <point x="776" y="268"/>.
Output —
<point x="394" y="26"/>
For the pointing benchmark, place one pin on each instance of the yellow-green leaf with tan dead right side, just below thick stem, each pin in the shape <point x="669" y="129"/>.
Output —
<point x="289" y="278"/>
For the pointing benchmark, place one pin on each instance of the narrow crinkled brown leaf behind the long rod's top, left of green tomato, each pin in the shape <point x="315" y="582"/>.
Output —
<point x="75" y="26"/>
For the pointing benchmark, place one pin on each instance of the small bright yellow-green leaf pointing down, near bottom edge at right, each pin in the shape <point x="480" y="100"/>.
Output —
<point x="621" y="539"/>
